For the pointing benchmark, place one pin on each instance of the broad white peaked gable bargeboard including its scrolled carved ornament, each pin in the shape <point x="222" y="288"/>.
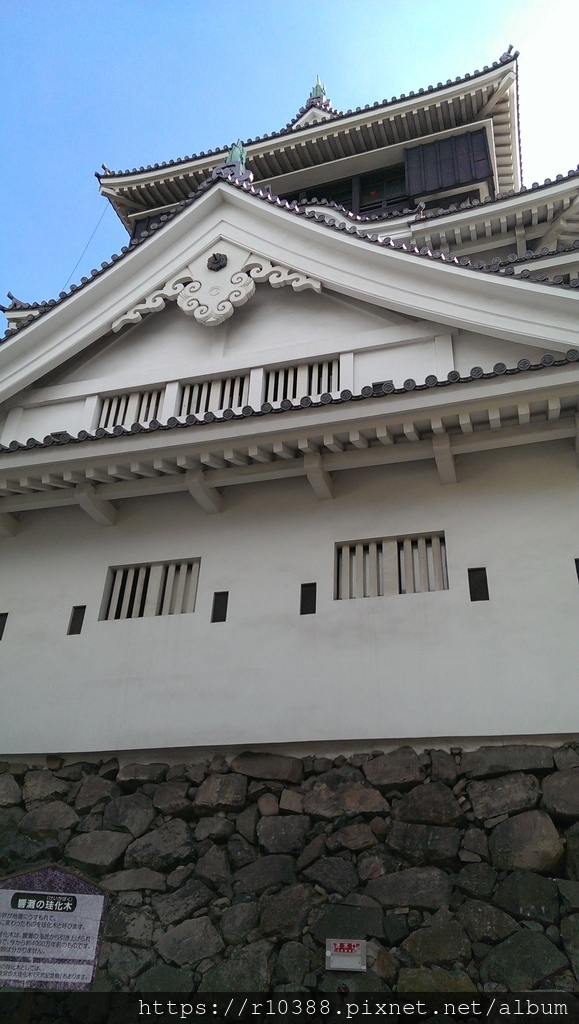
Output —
<point x="276" y="246"/>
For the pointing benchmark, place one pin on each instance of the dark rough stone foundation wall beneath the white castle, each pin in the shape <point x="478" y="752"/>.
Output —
<point x="461" y="870"/>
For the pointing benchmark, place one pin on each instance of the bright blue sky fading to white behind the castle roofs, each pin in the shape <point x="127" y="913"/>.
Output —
<point x="134" y="82"/>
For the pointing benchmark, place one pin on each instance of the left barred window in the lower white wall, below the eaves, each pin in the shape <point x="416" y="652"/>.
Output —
<point x="154" y="589"/>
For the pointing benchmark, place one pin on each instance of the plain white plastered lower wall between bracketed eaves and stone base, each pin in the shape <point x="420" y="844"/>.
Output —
<point x="425" y="665"/>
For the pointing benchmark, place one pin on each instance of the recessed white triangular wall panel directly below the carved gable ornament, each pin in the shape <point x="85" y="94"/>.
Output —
<point x="275" y="327"/>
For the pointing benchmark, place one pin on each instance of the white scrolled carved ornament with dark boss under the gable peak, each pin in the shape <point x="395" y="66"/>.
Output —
<point x="210" y="300"/>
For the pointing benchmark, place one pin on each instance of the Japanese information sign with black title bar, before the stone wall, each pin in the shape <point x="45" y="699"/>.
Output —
<point x="50" y="926"/>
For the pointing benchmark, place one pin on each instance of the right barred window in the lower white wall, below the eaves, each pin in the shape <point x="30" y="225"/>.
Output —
<point x="391" y="566"/>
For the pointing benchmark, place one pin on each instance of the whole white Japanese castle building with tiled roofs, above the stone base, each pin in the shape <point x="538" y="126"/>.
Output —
<point x="297" y="470"/>
